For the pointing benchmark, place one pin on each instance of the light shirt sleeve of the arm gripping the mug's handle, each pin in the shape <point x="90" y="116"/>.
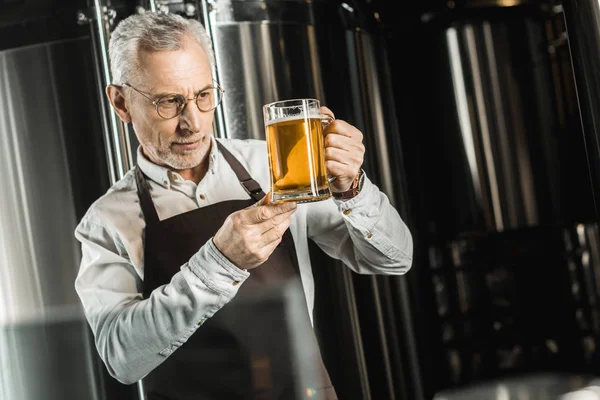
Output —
<point x="366" y="232"/>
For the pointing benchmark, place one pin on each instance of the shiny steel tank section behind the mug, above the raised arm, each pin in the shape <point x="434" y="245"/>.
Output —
<point x="293" y="48"/>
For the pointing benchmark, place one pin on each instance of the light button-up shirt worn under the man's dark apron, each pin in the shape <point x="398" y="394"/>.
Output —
<point x="134" y="335"/>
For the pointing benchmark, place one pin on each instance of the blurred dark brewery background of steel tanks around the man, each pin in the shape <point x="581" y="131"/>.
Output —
<point x="481" y="125"/>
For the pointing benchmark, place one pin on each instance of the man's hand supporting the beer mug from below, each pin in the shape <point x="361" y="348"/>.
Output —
<point x="248" y="237"/>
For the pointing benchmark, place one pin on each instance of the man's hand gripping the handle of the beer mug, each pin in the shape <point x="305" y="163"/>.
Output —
<point x="344" y="152"/>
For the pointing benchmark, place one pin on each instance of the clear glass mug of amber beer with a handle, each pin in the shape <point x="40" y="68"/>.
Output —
<point x="296" y="145"/>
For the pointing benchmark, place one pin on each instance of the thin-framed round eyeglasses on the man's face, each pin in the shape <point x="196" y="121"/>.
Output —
<point x="171" y="105"/>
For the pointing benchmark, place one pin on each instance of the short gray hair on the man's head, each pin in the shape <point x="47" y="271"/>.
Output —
<point x="151" y="31"/>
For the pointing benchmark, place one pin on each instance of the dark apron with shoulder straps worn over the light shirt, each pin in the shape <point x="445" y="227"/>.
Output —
<point x="244" y="351"/>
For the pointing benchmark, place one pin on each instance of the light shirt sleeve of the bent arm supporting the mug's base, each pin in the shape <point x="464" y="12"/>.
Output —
<point x="134" y="335"/>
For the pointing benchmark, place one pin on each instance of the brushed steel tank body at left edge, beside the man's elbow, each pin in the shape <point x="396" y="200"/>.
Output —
<point x="50" y="163"/>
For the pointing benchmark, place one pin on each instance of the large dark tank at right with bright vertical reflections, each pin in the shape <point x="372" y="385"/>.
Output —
<point x="500" y="193"/>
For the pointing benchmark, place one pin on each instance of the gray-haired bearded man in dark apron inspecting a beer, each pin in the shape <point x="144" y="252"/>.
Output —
<point x="171" y="251"/>
